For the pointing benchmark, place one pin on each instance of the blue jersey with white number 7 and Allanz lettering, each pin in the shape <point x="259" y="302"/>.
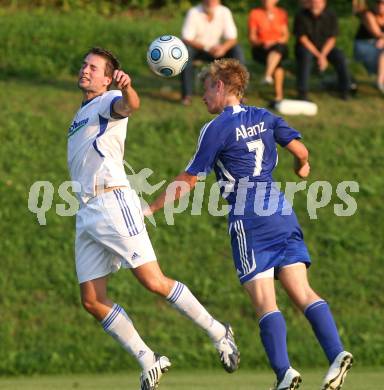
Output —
<point x="240" y="144"/>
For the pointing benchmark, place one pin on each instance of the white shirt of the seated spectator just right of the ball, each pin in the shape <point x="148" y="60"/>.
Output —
<point x="196" y="26"/>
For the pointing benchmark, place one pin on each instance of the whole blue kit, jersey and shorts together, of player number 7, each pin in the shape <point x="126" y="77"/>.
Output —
<point x="240" y="145"/>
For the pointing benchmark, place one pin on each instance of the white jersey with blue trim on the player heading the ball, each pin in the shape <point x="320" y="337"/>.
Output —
<point x="96" y="146"/>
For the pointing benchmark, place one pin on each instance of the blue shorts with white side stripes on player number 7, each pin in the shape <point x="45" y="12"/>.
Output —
<point x="254" y="251"/>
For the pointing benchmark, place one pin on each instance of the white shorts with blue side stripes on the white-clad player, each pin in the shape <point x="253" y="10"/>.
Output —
<point x="110" y="233"/>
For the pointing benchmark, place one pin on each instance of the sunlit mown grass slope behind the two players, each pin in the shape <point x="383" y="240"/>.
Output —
<point x="43" y="328"/>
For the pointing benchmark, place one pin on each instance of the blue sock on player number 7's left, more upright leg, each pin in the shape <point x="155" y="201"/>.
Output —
<point x="273" y="333"/>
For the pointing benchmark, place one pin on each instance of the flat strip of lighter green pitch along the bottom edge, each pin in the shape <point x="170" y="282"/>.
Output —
<point x="367" y="379"/>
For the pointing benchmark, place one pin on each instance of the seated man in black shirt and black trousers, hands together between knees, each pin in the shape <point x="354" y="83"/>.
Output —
<point x="316" y="29"/>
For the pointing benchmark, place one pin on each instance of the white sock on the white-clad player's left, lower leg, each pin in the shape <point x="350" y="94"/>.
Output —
<point x="117" y="324"/>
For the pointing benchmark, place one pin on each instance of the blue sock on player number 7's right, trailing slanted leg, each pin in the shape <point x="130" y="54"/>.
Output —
<point x="323" y="324"/>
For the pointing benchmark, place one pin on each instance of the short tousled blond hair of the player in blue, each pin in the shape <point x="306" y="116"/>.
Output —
<point x="231" y="72"/>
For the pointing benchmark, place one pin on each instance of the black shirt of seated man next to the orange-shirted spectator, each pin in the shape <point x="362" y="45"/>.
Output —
<point x="317" y="28"/>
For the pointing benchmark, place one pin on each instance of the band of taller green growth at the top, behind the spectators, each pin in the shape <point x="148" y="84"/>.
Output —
<point x="44" y="43"/>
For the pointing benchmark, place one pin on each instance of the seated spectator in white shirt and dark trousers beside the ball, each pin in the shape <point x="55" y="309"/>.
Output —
<point x="209" y="33"/>
